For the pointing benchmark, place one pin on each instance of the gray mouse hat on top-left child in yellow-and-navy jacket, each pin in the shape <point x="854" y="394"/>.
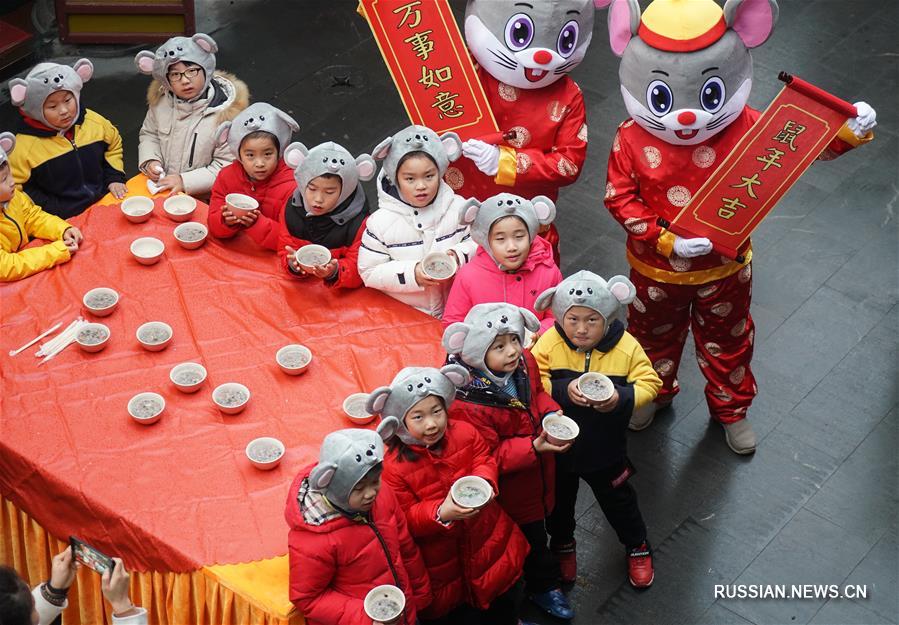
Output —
<point x="44" y="79"/>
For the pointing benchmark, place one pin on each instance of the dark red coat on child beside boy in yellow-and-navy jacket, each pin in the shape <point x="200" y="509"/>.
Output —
<point x="526" y="478"/>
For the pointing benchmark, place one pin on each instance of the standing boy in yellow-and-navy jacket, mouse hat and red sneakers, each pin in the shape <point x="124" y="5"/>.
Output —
<point x="590" y="336"/>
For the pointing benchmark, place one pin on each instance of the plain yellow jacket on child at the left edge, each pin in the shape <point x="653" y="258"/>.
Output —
<point x="23" y="220"/>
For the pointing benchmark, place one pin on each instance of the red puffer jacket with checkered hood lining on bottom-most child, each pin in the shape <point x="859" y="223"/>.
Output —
<point x="335" y="564"/>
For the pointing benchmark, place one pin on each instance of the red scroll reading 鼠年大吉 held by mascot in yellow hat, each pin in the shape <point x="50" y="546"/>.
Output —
<point x="767" y="161"/>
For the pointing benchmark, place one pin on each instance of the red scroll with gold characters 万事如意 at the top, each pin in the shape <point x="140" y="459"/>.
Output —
<point x="429" y="63"/>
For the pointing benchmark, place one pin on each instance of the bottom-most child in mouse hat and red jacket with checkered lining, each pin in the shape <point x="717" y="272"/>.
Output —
<point x="348" y="534"/>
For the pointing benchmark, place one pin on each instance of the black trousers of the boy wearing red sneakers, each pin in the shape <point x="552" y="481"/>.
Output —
<point x="619" y="504"/>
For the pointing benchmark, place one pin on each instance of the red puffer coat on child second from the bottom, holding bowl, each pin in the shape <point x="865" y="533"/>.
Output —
<point x="472" y="561"/>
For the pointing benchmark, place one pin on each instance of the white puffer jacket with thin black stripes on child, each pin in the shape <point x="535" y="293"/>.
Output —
<point x="397" y="236"/>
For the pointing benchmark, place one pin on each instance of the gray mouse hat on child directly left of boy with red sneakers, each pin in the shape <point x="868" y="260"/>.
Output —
<point x="471" y="339"/>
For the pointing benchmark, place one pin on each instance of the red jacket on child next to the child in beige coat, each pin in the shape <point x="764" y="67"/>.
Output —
<point x="271" y="193"/>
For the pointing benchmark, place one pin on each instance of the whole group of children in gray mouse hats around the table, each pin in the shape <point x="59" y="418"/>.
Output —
<point x="377" y="507"/>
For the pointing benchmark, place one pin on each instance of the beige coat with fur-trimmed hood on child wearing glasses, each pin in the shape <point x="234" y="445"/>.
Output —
<point x="181" y="135"/>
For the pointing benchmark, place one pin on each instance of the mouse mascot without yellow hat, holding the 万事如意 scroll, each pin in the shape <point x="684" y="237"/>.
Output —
<point x="524" y="53"/>
